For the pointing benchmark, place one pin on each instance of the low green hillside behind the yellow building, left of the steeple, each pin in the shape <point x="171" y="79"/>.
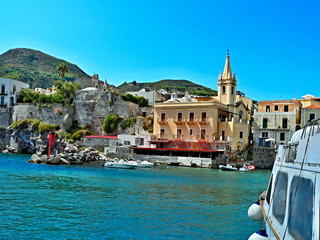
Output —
<point x="170" y="86"/>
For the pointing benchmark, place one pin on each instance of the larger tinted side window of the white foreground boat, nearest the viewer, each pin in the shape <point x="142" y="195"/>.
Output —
<point x="301" y="207"/>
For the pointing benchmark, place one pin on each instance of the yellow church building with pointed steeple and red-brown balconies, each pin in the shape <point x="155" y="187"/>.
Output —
<point x="204" y="123"/>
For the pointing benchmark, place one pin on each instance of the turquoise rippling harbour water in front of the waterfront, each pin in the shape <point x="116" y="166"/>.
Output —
<point x="92" y="202"/>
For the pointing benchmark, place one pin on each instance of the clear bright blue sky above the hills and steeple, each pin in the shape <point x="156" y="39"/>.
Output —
<point x="274" y="45"/>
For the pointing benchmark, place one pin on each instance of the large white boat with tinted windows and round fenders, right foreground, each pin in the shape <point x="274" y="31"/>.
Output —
<point x="290" y="207"/>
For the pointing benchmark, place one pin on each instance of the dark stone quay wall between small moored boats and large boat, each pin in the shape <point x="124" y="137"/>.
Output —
<point x="263" y="157"/>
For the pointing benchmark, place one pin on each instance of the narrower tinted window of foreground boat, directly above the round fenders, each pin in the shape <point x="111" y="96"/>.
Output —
<point x="280" y="196"/>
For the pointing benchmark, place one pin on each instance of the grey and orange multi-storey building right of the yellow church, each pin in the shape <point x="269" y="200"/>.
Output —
<point x="276" y="121"/>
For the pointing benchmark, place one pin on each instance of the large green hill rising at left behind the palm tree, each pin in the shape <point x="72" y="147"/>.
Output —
<point x="35" y="68"/>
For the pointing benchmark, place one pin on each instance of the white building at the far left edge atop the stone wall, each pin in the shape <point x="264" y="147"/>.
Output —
<point x="9" y="91"/>
